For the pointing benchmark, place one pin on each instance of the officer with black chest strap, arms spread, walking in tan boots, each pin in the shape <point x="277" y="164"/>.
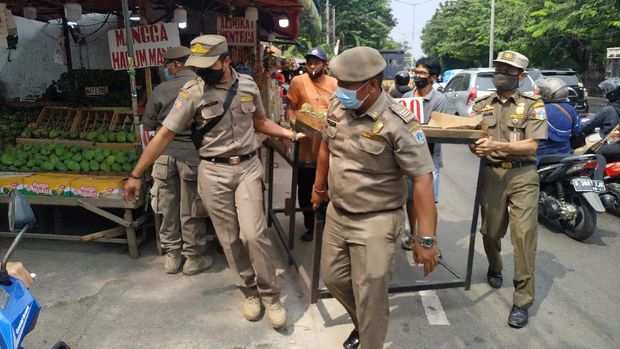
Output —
<point x="230" y="174"/>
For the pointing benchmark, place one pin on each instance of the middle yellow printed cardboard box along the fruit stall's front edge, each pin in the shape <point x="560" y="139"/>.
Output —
<point x="48" y="184"/>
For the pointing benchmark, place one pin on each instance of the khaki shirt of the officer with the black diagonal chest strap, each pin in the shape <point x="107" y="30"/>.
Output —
<point x="234" y="134"/>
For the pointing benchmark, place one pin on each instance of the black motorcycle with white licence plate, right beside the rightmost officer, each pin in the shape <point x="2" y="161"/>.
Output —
<point x="569" y="193"/>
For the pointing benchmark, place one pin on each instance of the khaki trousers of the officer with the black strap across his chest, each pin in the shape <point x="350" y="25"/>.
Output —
<point x="233" y="195"/>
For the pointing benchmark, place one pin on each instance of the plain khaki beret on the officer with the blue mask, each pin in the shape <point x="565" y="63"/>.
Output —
<point x="357" y="64"/>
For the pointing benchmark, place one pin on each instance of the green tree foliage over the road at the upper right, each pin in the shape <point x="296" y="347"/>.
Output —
<point x="566" y="33"/>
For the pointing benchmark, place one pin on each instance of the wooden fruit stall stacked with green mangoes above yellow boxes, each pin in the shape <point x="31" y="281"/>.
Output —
<point x="77" y="157"/>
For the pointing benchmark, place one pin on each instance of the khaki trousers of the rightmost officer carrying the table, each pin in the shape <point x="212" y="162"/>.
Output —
<point x="517" y="189"/>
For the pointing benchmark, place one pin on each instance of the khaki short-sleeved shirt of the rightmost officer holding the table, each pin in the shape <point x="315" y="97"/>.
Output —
<point x="522" y="114"/>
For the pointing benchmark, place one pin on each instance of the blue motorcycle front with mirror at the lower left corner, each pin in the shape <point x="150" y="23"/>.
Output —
<point x="18" y="308"/>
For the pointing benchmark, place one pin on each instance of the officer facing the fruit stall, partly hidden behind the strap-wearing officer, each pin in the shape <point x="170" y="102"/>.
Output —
<point x="174" y="191"/>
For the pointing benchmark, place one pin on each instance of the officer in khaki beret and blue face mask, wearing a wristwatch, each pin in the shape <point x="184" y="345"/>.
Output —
<point x="369" y="144"/>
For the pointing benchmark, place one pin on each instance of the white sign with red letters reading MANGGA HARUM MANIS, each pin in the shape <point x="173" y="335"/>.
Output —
<point x="149" y="43"/>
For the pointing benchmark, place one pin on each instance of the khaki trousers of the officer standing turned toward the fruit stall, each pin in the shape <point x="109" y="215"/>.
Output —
<point x="175" y="197"/>
